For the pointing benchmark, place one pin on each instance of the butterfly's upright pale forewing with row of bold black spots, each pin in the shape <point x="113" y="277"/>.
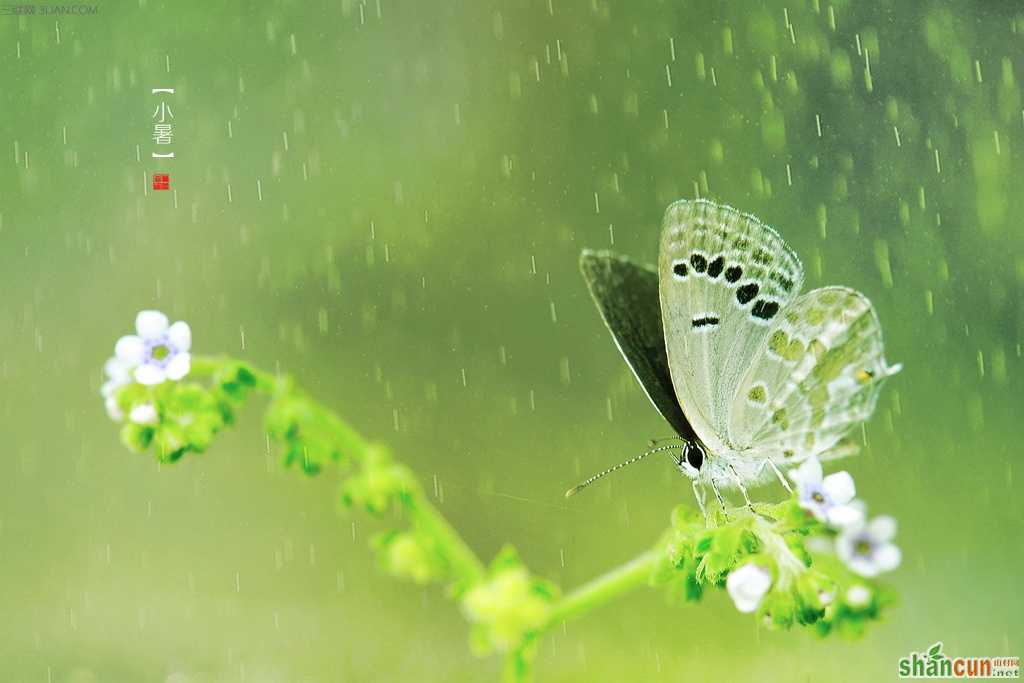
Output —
<point x="726" y="278"/>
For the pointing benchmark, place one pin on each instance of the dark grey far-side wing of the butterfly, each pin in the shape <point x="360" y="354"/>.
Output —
<point x="627" y="296"/>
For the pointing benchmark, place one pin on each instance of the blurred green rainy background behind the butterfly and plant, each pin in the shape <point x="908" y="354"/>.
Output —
<point x="430" y="175"/>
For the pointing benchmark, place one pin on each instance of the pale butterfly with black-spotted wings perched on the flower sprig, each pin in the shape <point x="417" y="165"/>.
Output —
<point x="753" y="376"/>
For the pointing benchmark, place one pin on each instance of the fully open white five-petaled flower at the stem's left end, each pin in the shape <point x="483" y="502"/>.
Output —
<point x="159" y="352"/>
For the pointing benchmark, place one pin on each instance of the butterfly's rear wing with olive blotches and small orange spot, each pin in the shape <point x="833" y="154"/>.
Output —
<point x="816" y="376"/>
